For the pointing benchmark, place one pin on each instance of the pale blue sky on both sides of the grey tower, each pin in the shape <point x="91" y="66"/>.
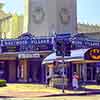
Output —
<point x="87" y="10"/>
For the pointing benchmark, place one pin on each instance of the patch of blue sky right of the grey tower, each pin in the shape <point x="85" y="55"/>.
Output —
<point x="88" y="11"/>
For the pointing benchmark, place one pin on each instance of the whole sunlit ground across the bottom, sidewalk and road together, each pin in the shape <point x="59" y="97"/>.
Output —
<point x="40" y="92"/>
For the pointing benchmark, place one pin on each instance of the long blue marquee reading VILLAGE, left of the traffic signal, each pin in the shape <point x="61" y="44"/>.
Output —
<point x="26" y="42"/>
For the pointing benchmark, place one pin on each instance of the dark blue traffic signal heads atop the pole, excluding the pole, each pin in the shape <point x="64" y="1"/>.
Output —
<point x="63" y="44"/>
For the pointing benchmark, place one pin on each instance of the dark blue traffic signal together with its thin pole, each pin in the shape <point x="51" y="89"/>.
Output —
<point x="63" y="47"/>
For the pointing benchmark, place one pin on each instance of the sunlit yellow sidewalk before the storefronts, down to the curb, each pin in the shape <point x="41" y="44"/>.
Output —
<point x="33" y="90"/>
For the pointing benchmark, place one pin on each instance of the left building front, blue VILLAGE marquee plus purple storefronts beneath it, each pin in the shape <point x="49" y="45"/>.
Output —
<point x="20" y="59"/>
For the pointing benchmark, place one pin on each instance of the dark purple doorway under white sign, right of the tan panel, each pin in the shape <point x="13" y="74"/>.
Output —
<point x="34" y="71"/>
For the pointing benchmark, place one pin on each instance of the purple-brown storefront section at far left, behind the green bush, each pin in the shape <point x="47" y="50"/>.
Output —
<point x="8" y="66"/>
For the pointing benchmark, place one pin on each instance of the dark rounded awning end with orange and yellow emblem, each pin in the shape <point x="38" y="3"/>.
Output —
<point x="93" y="54"/>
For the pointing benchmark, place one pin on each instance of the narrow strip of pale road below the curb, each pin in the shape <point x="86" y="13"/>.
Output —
<point x="94" y="97"/>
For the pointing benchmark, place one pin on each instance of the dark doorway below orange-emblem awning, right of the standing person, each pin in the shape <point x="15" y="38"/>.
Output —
<point x="91" y="72"/>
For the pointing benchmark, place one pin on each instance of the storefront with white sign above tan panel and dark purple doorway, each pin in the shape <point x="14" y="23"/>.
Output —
<point x="30" y="68"/>
